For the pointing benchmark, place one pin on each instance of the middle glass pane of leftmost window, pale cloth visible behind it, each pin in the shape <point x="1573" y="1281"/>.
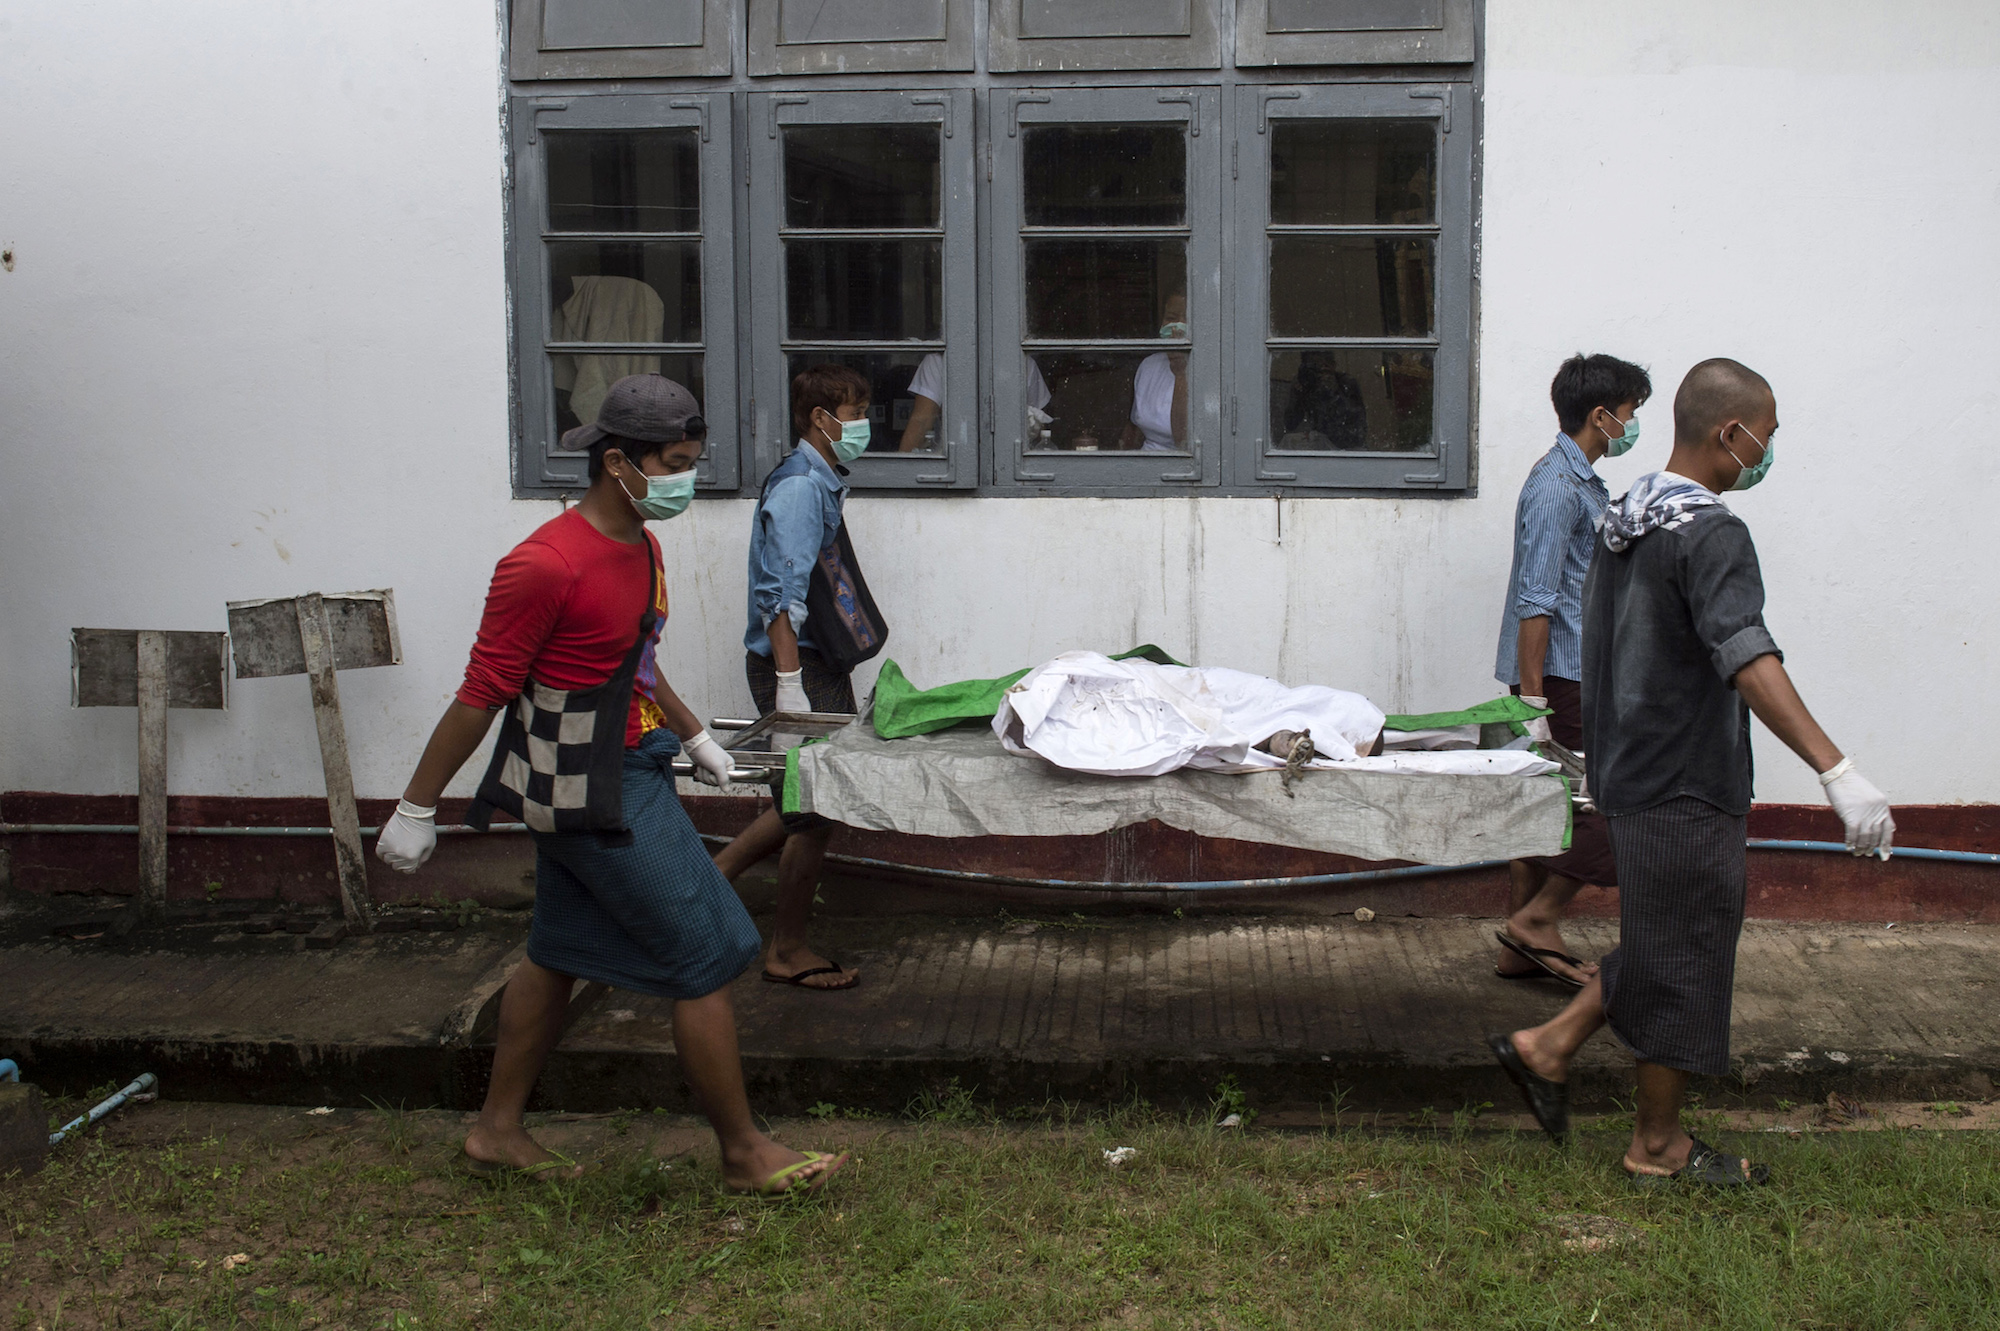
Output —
<point x="625" y="291"/>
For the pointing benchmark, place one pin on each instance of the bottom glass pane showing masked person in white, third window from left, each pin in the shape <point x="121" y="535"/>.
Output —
<point x="1113" y="401"/>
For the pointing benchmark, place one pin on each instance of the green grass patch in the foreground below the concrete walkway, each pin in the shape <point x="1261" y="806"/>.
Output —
<point x="361" y="1220"/>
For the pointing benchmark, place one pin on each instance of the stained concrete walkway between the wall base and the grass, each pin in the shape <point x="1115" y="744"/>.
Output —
<point x="1021" y="1012"/>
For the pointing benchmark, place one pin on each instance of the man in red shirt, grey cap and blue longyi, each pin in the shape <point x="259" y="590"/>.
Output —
<point x="645" y="906"/>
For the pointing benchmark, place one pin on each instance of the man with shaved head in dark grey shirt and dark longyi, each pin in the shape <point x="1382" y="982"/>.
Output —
<point x="1675" y="663"/>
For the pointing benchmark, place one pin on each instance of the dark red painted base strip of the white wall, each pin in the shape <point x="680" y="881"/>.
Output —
<point x="499" y="870"/>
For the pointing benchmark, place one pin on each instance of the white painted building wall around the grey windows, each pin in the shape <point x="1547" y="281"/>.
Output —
<point x="255" y="345"/>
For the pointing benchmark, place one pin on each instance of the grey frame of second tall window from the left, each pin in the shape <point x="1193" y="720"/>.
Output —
<point x="953" y="113"/>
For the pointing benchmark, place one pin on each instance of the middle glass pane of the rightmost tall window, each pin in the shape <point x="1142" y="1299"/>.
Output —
<point x="1351" y="287"/>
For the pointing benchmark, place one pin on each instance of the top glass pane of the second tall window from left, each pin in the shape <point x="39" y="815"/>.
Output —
<point x="863" y="175"/>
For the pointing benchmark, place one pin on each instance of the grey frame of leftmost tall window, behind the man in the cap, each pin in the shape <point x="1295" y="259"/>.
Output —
<point x="543" y="467"/>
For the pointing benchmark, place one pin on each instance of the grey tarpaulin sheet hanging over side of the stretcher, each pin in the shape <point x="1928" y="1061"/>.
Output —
<point x="963" y="784"/>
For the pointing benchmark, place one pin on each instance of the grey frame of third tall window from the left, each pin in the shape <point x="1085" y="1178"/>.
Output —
<point x="1107" y="473"/>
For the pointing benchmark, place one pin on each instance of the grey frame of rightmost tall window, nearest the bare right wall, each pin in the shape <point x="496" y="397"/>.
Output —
<point x="1451" y="463"/>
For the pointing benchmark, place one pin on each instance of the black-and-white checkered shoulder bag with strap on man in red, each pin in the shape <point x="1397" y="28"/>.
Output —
<point x="559" y="764"/>
